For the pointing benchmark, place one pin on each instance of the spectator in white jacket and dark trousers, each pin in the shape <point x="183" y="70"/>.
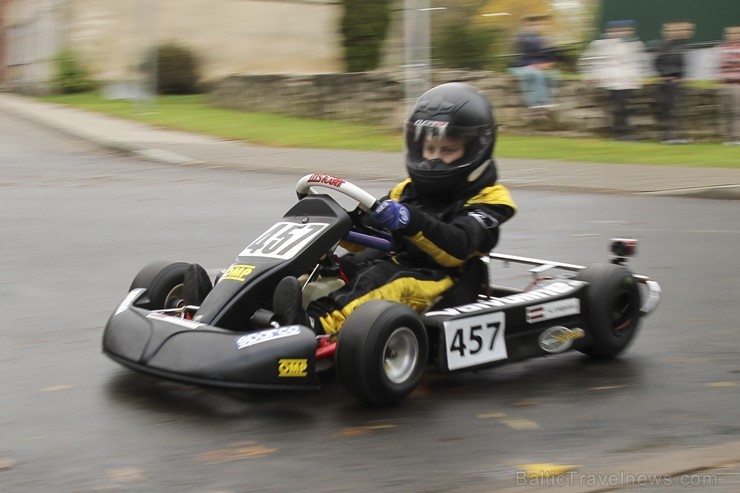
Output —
<point x="616" y="63"/>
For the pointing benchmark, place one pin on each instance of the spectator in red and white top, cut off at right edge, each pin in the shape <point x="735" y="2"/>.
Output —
<point x="729" y="76"/>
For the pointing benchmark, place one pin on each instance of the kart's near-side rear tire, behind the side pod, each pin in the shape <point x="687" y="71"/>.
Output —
<point x="612" y="309"/>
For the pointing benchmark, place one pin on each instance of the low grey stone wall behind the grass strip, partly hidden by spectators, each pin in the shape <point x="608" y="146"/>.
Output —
<point x="378" y="98"/>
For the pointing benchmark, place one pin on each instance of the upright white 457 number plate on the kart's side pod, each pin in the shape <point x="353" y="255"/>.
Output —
<point x="475" y="340"/>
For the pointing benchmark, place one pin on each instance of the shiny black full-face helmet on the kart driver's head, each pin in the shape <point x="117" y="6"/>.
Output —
<point x="456" y="110"/>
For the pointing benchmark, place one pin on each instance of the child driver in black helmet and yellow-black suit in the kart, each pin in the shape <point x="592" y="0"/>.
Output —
<point x="445" y="216"/>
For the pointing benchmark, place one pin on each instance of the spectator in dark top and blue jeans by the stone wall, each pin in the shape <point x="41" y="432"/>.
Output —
<point x="534" y="66"/>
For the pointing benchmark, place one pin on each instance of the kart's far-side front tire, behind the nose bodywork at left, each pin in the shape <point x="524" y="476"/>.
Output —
<point x="163" y="282"/>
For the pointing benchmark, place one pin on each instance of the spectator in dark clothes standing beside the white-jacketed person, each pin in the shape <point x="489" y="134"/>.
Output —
<point x="670" y="64"/>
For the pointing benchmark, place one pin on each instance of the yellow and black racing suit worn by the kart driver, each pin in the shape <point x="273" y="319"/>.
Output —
<point x="438" y="241"/>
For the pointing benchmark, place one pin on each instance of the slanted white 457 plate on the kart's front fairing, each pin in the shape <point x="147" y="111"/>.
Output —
<point x="284" y="240"/>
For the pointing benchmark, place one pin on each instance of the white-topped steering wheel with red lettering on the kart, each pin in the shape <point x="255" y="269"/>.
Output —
<point x="366" y="202"/>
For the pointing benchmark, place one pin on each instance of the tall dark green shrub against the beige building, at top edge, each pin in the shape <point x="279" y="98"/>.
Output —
<point x="364" y="28"/>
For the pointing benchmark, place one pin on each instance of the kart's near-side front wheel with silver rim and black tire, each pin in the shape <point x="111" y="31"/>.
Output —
<point x="382" y="352"/>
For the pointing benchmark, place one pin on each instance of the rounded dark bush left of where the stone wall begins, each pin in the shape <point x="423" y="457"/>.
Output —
<point x="178" y="69"/>
